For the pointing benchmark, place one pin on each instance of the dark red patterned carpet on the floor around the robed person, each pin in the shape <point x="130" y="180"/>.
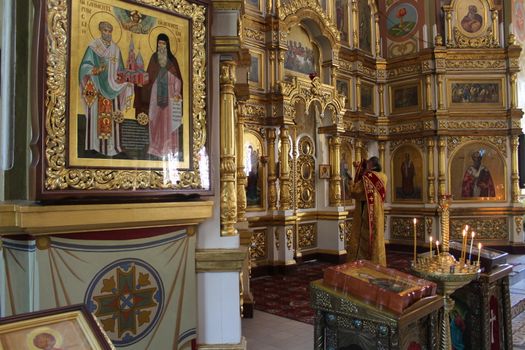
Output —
<point x="288" y="295"/>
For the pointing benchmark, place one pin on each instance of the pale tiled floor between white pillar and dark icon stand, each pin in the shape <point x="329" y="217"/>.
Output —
<point x="269" y="332"/>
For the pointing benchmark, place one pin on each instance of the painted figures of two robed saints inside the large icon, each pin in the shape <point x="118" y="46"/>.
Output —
<point x="108" y="87"/>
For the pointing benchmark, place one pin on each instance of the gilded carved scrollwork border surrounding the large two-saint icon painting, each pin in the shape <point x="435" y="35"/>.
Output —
<point x="57" y="176"/>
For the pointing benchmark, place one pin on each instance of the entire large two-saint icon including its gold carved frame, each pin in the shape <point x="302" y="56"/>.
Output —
<point x="122" y="100"/>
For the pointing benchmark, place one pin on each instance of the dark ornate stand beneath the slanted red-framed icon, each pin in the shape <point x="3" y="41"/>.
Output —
<point x="343" y="321"/>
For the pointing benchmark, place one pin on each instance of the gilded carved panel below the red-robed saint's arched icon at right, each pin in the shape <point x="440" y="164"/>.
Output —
<point x="485" y="227"/>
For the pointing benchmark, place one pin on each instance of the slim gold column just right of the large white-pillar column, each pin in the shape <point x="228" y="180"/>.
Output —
<point x="241" y="175"/>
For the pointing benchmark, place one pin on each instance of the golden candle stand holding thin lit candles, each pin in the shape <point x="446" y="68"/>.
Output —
<point x="448" y="273"/>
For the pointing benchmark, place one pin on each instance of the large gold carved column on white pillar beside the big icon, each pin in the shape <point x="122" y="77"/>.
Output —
<point x="228" y="197"/>
